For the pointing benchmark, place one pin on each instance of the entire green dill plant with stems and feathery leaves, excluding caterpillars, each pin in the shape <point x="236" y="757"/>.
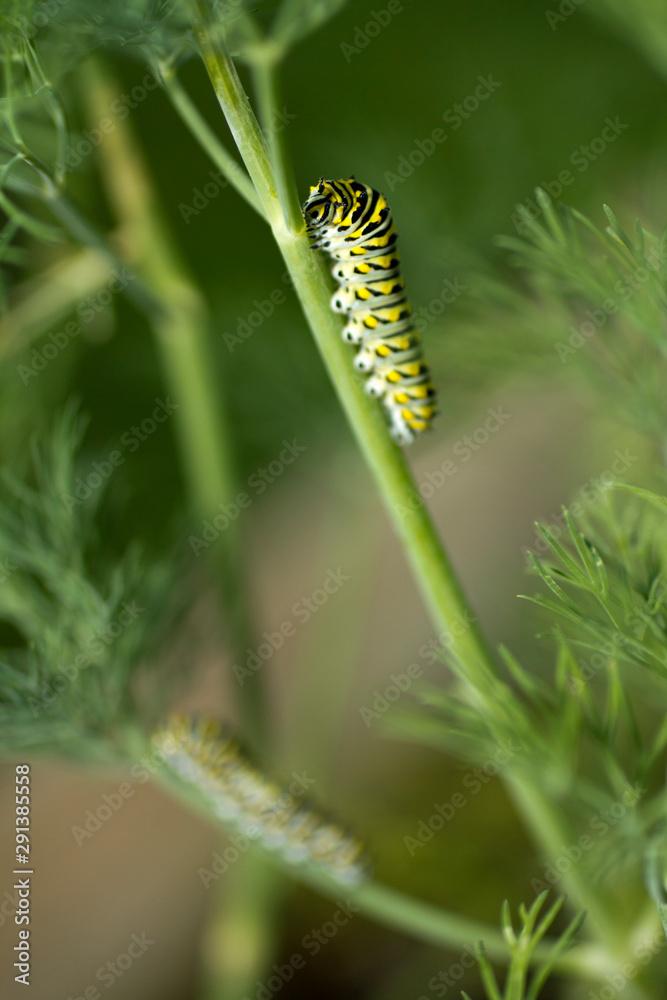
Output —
<point x="587" y="737"/>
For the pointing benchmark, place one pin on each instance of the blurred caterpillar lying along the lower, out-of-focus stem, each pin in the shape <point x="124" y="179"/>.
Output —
<point x="199" y="752"/>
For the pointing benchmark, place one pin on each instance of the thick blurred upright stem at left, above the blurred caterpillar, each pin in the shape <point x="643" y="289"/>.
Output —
<point x="181" y="329"/>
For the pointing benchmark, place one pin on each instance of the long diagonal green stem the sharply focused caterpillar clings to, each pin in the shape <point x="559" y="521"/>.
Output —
<point x="433" y="571"/>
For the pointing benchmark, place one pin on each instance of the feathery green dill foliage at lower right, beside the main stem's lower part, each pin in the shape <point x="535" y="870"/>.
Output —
<point x="593" y="729"/>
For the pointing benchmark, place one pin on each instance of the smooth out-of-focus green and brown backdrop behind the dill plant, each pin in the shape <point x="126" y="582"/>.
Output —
<point x="557" y="88"/>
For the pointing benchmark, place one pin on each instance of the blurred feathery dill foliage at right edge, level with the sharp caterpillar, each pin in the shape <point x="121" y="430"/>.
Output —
<point x="591" y="309"/>
